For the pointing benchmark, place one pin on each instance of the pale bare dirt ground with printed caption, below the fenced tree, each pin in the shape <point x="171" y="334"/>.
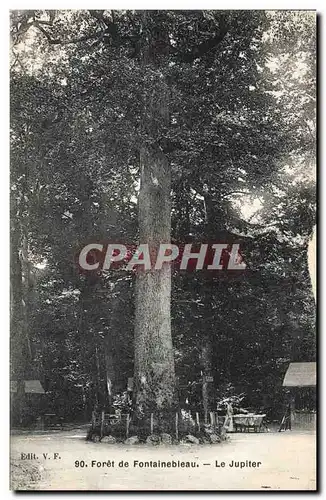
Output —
<point x="287" y="463"/>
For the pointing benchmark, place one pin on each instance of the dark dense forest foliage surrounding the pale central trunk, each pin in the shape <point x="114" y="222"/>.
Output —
<point x="228" y="99"/>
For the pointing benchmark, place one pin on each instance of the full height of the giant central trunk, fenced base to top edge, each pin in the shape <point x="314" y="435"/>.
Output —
<point x="154" y="361"/>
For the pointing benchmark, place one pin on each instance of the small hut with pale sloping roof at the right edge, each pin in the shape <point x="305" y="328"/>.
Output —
<point x="300" y="378"/>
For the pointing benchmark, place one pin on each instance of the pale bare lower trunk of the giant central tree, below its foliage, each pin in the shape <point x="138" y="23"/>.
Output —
<point x="154" y="362"/>
